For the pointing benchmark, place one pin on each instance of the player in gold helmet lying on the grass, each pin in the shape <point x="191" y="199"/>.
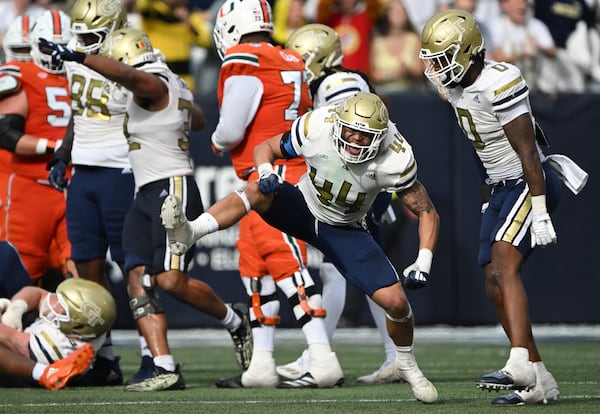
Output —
<point x="76" y="317"/>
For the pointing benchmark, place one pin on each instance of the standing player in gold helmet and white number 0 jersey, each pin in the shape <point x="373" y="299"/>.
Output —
<point x="491" y="103"/>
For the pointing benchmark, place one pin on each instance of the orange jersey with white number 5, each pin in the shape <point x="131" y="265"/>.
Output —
<point x="49" y="111"/>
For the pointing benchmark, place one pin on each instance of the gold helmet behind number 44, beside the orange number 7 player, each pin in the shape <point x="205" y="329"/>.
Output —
<point x="319" y="46"/>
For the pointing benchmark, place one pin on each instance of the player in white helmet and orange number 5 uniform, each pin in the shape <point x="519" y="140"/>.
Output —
<point x="35" y="108"/>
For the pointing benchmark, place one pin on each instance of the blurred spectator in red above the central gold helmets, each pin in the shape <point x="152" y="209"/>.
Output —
<point x="354" y="22"/>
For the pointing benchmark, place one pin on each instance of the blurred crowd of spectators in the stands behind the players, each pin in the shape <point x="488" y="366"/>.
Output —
<point x="556" y="43"/>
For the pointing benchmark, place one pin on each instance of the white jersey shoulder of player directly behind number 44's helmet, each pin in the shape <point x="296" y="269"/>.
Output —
<point x="337" y="87"/>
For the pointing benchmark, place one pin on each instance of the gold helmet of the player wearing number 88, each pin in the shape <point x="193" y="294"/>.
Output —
<point x="93" y="20"/>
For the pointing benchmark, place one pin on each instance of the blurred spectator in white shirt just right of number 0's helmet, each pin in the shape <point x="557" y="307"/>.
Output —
<point x="521" y="39"/>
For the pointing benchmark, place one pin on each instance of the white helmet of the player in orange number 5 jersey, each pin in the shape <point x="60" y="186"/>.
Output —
<point x="55" y="26"/>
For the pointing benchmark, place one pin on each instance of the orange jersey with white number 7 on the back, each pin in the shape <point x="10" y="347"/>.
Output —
<point x="285" y="96"/>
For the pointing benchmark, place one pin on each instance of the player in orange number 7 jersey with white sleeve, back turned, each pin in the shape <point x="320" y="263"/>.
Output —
<point x="261" y="91"/>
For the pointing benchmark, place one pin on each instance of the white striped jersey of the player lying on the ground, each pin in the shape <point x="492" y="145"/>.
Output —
<point x="48" y="344"/>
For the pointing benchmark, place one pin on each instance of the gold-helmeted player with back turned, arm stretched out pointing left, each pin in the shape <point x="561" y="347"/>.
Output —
<point x="160" y="115"/>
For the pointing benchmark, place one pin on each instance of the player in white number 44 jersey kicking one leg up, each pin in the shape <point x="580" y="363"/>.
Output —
<point x="353" y="152"/>
